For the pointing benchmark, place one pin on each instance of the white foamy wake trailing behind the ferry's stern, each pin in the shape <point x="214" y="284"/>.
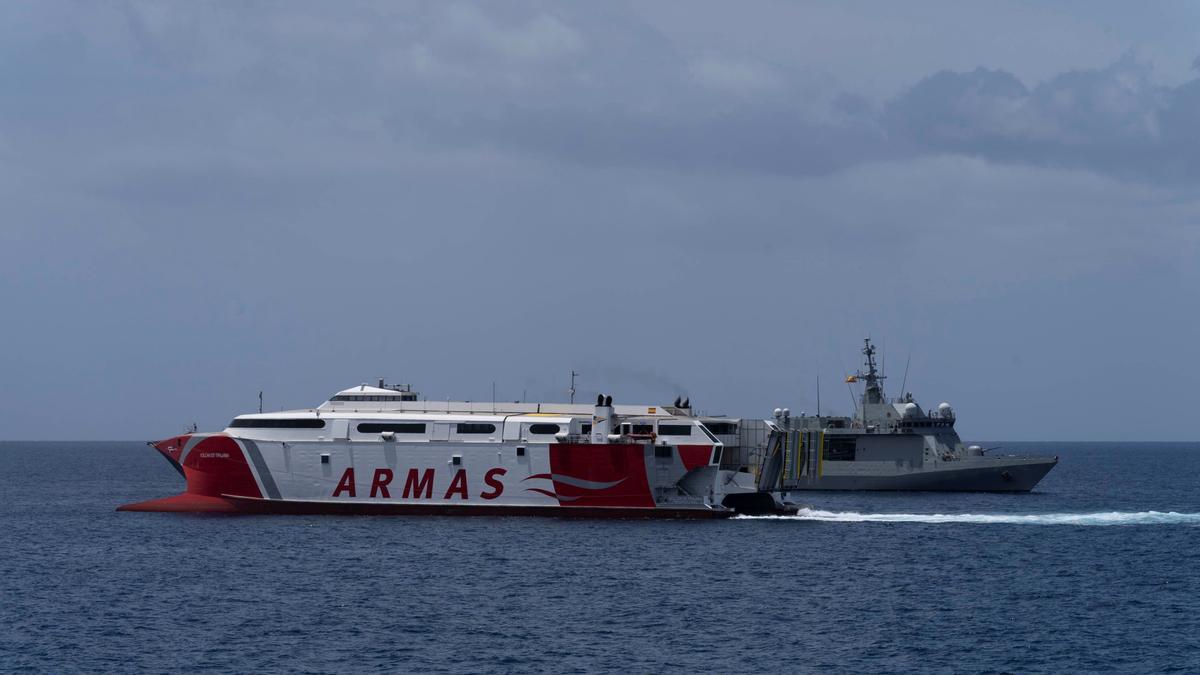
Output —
<point x="1105" y="518"/>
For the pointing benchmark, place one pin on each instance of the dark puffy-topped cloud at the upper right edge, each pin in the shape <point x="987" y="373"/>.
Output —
<point x="1112" y="121"/>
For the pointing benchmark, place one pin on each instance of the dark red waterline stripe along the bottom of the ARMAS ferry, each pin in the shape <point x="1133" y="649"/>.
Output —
<point x="199" y="504"/>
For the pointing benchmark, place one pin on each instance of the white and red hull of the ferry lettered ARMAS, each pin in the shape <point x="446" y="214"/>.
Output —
<point x="238" y="476"/>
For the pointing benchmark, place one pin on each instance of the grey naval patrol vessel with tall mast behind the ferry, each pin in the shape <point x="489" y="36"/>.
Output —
<point x="887" y="445"/>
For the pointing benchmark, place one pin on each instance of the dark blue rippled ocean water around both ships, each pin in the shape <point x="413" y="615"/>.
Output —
<point x="1096" y="571"/>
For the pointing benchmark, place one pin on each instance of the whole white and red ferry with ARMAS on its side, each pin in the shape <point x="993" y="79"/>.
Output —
<point x="380" y="451"/>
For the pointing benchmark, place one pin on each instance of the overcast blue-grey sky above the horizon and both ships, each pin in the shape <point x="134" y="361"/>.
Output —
<point x="205" y="201"/>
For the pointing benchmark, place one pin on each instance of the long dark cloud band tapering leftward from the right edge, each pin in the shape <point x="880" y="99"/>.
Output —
<point x="1112" y="121"/>
